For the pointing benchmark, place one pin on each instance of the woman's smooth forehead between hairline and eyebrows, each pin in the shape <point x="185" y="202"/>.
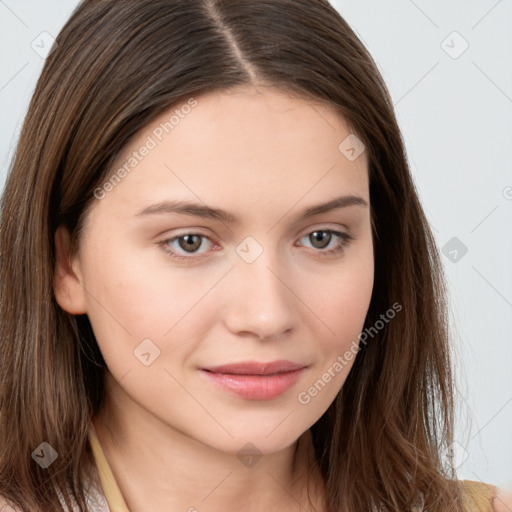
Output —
<point x="254" y="145"/>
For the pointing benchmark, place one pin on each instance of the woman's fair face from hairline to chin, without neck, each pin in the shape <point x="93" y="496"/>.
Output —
<point x="170" y="293"/>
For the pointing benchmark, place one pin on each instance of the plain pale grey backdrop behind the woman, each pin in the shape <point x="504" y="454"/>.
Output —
<point x="448" y="66"/>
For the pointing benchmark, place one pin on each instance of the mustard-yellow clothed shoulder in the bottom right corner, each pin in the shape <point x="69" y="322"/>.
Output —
<point x="483" y="497"/>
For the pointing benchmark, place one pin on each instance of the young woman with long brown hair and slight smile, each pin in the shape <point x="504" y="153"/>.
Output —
<point x="219" y="290"/>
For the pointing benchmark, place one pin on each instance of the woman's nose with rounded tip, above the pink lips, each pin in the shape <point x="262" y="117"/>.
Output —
<point x="260" y="300"/>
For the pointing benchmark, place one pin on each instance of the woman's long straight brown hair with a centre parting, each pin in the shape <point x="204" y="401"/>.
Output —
<point x="117" y="65"/>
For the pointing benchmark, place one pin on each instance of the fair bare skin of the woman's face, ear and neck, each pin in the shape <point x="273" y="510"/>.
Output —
<point x="170" y="435"/>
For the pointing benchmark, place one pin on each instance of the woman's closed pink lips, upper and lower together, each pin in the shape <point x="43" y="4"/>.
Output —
<point x="254" y="380"/>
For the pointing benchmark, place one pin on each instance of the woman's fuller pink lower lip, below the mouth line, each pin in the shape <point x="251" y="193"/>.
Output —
<point x="256" y="387"/>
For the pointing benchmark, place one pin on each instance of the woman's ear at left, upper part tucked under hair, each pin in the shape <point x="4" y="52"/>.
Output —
<point x="67" y="281"/>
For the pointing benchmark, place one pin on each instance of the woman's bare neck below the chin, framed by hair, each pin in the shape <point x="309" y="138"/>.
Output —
<point x="159" y="467"/>
